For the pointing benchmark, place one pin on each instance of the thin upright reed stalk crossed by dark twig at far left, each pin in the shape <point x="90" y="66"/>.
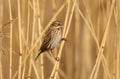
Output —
<point x="11" y="27"/>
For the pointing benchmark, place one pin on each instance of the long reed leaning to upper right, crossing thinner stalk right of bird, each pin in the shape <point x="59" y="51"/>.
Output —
<point x="100" y="51"/>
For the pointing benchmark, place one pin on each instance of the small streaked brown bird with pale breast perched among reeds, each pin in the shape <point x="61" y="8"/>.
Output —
<point x="52" y="37"/>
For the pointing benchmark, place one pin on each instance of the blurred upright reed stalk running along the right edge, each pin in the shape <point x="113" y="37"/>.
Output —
<point x="116" y="15"/>
